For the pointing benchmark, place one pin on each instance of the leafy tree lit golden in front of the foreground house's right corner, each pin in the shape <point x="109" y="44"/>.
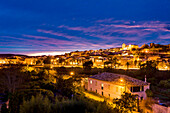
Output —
<point x="127" y="103"/>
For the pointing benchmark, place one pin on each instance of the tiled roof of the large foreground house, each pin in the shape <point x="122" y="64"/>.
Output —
<point x="115" y="78"/>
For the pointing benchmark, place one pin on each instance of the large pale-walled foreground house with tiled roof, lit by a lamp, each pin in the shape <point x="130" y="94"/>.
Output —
<point x="113" y="85"/>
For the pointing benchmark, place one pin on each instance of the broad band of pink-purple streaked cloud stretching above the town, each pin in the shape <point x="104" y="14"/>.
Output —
<point x="106" y="33"/>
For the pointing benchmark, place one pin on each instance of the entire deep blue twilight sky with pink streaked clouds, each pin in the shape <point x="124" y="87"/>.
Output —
<point x="57" y="26"/>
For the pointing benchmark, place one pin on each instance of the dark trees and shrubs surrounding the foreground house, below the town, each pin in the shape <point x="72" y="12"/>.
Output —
<point x="26" y="85"/>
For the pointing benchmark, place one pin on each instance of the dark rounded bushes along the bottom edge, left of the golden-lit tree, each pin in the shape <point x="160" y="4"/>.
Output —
<point x="40" y="103"/>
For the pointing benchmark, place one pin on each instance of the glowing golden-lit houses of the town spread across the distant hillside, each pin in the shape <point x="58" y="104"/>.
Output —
<point x="133" y="54"/>
